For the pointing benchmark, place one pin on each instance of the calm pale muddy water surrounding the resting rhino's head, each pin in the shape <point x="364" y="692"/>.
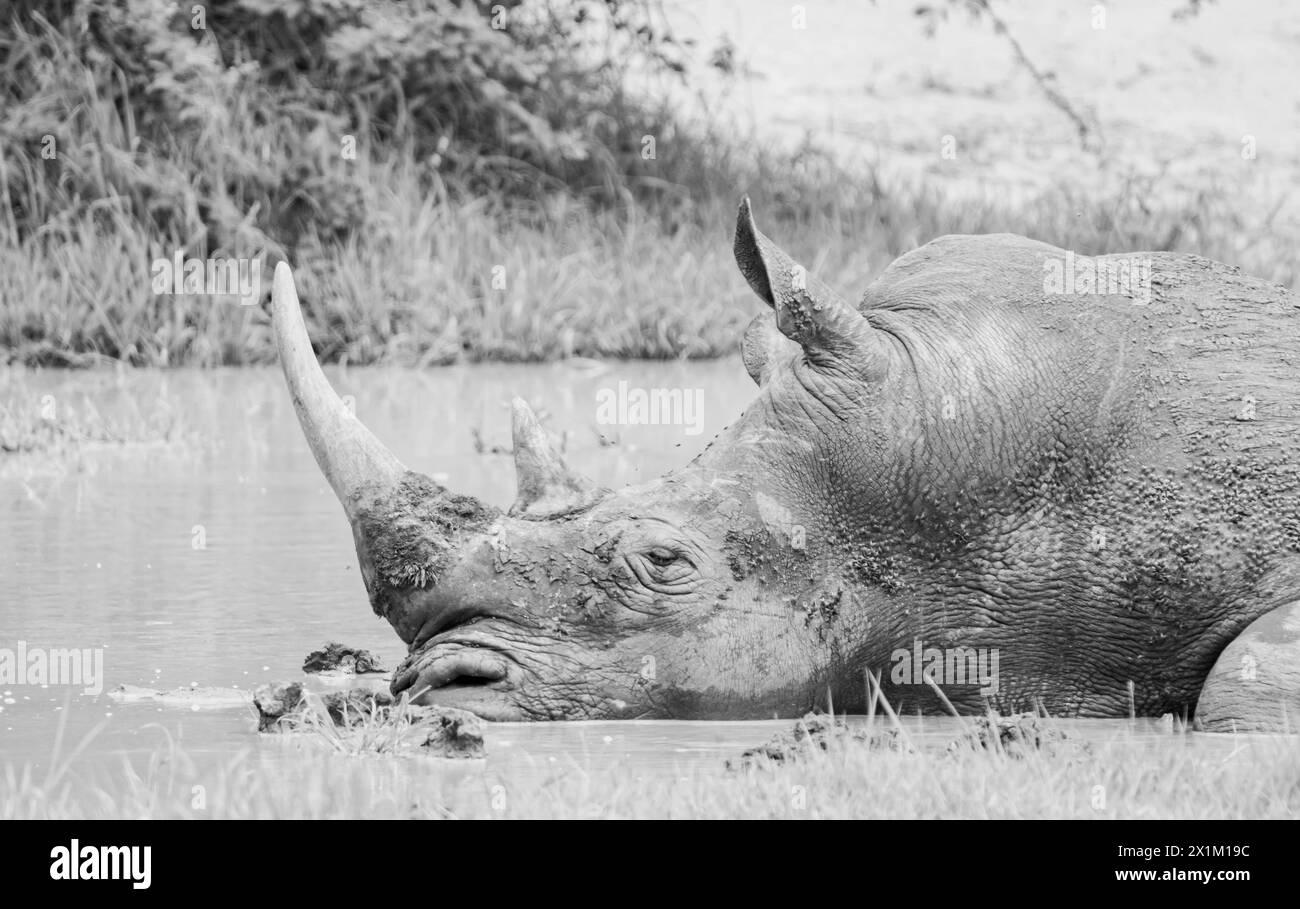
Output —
<point x="219" y="559"/>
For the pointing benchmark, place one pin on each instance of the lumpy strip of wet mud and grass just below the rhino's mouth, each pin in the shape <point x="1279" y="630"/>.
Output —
<point x="439" y="731"/>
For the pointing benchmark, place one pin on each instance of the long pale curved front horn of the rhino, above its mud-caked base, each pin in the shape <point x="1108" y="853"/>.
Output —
<point x="356" y="464"/>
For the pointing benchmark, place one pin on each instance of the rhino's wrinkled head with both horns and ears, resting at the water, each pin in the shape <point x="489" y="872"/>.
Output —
<point x="725" y="590"/>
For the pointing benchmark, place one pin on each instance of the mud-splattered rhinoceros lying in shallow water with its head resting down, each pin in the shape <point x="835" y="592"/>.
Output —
<point x="982" y="488"/>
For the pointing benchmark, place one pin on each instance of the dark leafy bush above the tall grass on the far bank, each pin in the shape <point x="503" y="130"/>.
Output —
<point x="231" y="128"/>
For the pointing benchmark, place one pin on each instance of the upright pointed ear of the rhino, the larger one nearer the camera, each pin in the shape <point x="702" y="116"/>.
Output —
<point x="831" y="332"/>
